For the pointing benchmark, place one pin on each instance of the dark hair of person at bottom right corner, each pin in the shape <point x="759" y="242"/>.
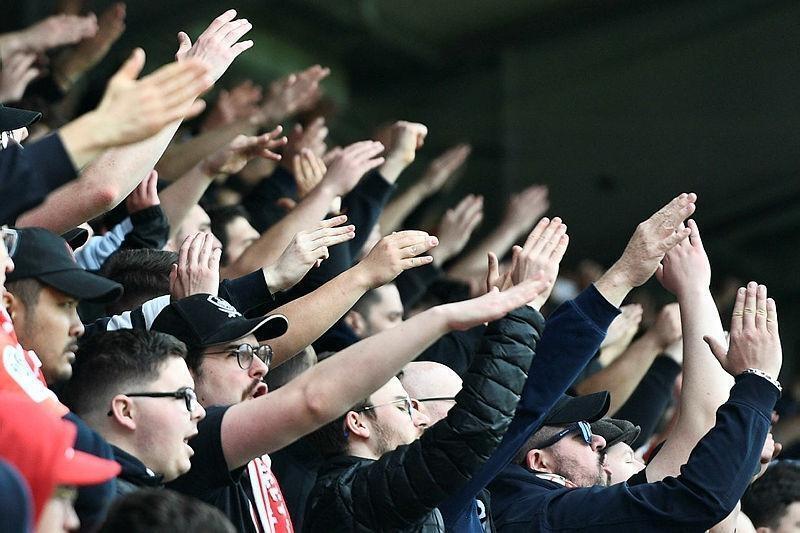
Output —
<point x="766" y="500"/>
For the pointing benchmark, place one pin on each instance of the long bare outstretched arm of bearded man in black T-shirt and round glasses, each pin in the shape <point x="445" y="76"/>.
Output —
<point x="328" y="389"/>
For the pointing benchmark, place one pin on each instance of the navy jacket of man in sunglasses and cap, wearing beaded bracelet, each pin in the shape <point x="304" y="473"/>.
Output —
<point x="706" y="491"/>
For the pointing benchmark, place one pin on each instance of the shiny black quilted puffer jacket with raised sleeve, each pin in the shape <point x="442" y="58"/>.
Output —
<point x="401" y="490"/>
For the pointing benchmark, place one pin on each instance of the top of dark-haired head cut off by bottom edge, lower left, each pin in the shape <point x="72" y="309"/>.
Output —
<point x="163" y="511"/>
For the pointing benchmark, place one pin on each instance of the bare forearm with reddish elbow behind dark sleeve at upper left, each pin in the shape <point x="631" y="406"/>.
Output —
<point x="101" y="186"/>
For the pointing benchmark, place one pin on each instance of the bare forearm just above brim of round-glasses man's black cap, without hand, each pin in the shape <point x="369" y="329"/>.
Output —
<point x="313" y="314"/>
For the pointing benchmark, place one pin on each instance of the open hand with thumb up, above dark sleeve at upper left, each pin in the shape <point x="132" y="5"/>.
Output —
<point x="132" y="110"/>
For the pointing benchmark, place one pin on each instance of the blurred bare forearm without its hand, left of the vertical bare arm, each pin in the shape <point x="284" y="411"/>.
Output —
<point x="623" y="375"/>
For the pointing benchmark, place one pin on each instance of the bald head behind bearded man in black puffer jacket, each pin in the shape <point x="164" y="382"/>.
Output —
<point x="425" y="379"/>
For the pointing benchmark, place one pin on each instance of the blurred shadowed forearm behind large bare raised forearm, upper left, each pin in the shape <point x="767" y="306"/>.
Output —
<point x="179" y="158"/>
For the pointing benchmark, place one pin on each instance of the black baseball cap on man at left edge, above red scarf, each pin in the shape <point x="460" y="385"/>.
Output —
<point x="43" y="255"/>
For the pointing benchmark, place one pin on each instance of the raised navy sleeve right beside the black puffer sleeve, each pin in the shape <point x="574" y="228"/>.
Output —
<point x="571" y="337"/>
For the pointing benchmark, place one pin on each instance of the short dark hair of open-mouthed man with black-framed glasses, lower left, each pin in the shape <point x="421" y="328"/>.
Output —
<point x="107" y="363"/>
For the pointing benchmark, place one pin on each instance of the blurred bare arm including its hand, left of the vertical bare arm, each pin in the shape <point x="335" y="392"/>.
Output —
<point x="623" y="375"/>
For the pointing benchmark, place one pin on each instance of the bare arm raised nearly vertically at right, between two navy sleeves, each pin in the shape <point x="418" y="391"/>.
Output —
<point x="686" y="272"/>
